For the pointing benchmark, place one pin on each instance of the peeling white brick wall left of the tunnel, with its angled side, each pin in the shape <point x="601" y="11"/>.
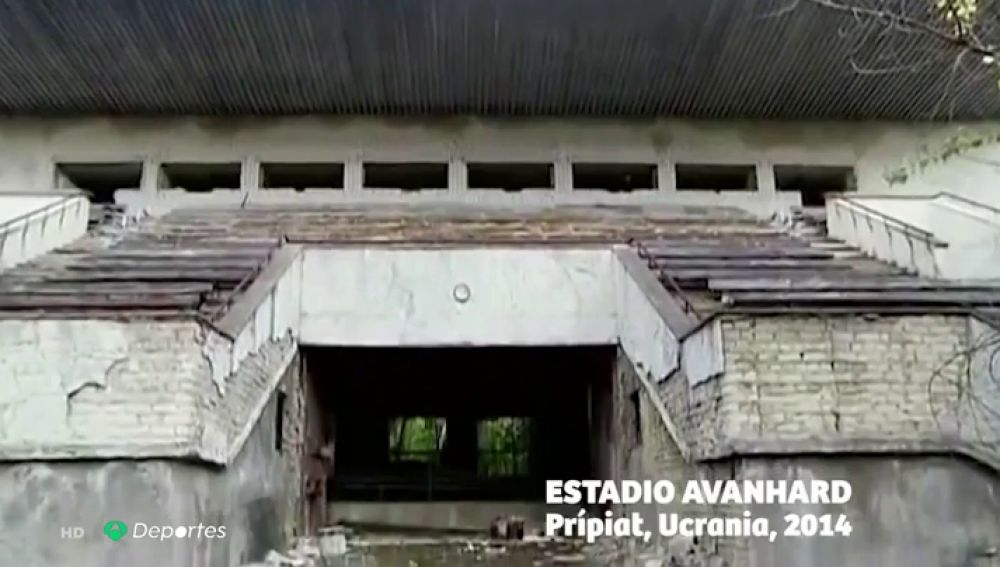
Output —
<point x="107" y="389"/>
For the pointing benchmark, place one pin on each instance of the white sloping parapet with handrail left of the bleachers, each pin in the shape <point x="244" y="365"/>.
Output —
<point x="33" y="224"/>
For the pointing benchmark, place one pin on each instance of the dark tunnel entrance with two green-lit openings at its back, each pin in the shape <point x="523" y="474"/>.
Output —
<point x="482" y="426"/>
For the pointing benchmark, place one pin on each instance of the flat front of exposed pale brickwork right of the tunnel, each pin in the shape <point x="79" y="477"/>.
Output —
<point x="892" y="379"/>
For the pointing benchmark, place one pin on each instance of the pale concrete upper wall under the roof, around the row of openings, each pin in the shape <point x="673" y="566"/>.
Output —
<point x="29" y="148"/>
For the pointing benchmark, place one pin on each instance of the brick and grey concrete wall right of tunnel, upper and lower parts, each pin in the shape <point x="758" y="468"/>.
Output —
<point x="861" y="390"/>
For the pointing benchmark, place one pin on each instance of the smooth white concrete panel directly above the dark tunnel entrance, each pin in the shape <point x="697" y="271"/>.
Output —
<point x="516" y="296"/>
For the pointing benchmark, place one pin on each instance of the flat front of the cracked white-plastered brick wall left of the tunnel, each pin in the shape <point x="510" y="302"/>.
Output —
<point x="98" y="388"/>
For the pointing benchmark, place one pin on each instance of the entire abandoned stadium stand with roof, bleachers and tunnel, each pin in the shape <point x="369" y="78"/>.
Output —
<point x="193" y="308"/>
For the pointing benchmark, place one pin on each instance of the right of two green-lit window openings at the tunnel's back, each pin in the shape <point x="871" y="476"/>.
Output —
<point x="504" y="447"/>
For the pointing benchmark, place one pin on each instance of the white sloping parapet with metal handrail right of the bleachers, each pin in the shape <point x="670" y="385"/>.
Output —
<point x="885" y="237"/>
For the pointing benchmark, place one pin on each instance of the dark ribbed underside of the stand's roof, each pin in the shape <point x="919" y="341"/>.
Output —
<point x="696" y="58"/>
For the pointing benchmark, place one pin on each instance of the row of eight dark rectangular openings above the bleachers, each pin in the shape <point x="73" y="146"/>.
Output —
<point x="102" y="179"/>
